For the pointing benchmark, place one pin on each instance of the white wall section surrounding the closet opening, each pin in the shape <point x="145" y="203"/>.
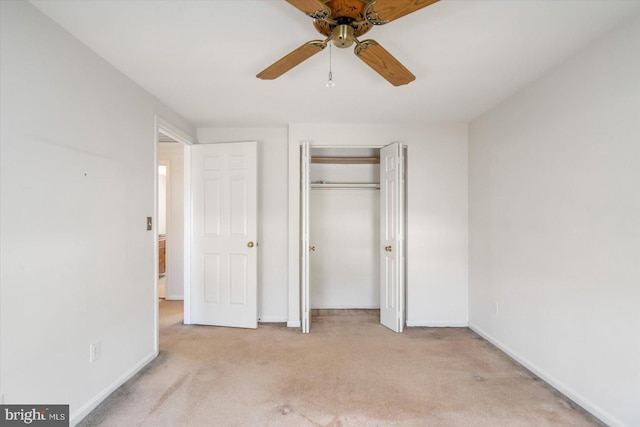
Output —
<point x="437" y="213"/>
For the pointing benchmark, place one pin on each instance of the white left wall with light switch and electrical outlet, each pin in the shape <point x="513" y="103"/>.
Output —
<point x="77" y="183"/>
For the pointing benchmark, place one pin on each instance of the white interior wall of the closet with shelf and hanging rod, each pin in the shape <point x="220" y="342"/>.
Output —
<point x="345" y="230"/>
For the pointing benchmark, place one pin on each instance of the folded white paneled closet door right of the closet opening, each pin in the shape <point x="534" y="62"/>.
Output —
<point x="392" y="237"/>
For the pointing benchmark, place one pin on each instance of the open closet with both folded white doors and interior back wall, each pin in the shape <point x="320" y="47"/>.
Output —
<point x="352" y="228"/>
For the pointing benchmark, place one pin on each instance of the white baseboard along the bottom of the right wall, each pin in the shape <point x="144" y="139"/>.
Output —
<point x="586" y="404"/>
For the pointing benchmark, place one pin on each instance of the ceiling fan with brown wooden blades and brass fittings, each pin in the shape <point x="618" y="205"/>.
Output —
<point x="342" y="22"/>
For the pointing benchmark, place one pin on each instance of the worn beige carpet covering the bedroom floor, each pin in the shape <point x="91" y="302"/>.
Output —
<point x="349" y="371"/>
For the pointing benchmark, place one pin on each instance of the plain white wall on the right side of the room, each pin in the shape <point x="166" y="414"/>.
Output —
<point x="555" y="227"/>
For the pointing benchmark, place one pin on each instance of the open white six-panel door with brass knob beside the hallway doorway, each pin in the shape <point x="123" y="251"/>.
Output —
<point x="224" y="232"/>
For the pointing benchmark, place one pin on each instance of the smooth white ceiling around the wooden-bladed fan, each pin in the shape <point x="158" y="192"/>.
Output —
<point x="201" y="57"/>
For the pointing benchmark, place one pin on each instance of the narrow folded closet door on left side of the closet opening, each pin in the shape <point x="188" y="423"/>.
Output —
<point x="305" y="190"/>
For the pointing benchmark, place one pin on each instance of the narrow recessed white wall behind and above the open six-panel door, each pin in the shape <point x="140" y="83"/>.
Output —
<point x="272" y="213"/>
